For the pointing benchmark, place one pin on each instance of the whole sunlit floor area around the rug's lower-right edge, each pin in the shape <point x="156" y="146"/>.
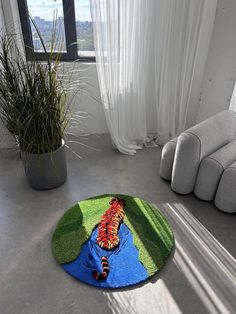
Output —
<point x="200" y="276"/>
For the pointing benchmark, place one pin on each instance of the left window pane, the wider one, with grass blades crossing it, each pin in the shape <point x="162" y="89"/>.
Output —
<point x="47" y="14"/>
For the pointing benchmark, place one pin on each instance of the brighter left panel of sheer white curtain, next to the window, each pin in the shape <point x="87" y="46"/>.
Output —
<point x="120" y="34"/>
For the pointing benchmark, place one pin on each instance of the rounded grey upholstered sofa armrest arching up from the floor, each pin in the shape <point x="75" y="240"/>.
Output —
<point x="198" y="142"/>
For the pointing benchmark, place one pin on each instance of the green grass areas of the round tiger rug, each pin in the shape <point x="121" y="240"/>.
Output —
<point x="152" y="233"/>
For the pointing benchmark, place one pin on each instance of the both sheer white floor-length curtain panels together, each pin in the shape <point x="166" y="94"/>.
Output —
<point x="149" y="59"/>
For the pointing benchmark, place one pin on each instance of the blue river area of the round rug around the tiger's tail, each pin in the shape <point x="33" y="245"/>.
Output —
<point x="125" y="267"/>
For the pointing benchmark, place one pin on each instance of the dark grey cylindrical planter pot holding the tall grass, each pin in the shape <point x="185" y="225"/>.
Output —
<point x="45" y="171"/>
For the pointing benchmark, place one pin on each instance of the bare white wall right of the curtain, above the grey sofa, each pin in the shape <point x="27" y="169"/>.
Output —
<point x="220" y="71"/>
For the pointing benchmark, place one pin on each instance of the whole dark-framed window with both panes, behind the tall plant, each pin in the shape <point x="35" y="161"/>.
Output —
<point x="73" y="24"/>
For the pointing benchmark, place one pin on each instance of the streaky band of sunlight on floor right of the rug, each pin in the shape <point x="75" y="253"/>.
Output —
<point x="208" y="267"/>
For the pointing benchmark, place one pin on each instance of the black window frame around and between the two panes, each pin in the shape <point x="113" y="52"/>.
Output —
<point x="71" y="53"/>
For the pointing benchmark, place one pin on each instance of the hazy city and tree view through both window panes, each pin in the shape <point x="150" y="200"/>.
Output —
<point x="47" y="11"/>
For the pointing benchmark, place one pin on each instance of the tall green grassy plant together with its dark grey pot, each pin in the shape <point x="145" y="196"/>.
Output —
<point x="35" y="108"/>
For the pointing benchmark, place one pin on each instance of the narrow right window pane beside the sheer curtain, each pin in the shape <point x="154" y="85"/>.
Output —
<point x="84" y="28"/>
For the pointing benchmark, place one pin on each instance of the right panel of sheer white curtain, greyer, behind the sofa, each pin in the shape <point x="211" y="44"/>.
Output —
<point x="181" y="47"/>
